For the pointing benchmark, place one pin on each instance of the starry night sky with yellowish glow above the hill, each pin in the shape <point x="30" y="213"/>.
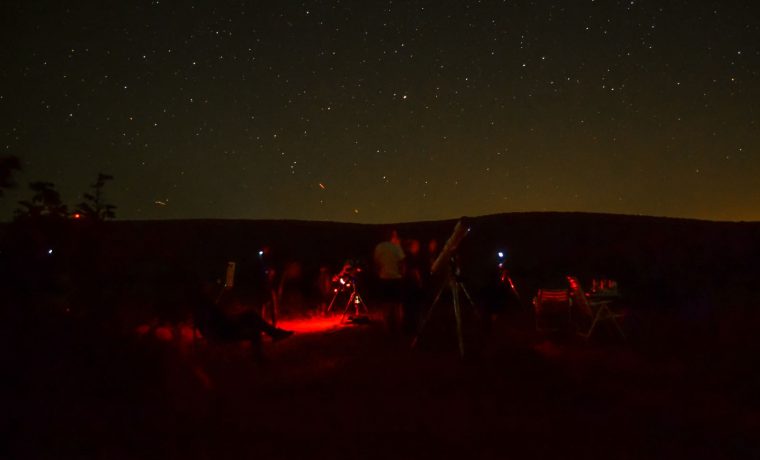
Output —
<point x="363" y="111"/>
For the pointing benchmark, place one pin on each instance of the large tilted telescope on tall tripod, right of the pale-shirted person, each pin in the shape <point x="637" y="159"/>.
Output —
<point x="446" y="262"/>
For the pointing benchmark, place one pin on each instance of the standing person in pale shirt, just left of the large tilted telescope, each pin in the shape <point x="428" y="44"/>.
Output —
<point x="389" y="267"/>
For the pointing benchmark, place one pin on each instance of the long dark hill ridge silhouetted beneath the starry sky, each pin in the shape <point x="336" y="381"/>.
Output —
<point x="659" y="262"/>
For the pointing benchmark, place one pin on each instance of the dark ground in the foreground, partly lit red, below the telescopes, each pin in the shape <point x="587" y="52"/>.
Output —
<point x="358" y="392"/>
